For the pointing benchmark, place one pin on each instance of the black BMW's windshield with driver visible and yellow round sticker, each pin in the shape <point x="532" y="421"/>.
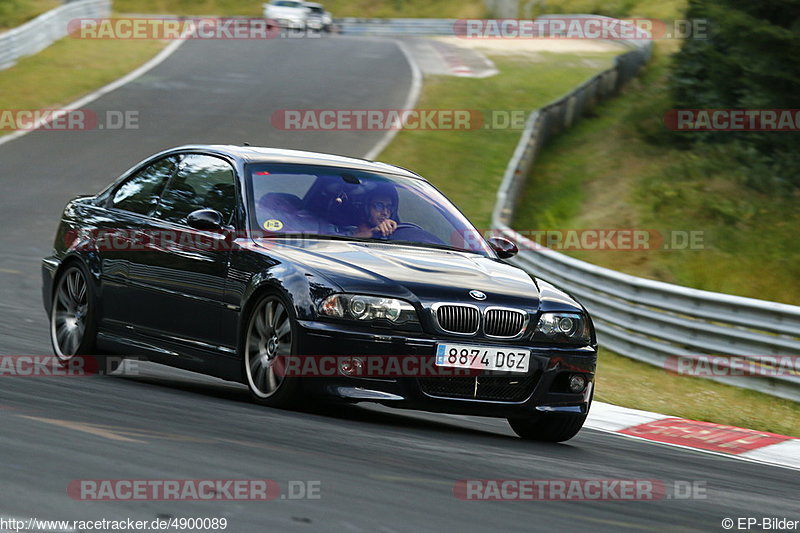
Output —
<point x="327" y="202"/>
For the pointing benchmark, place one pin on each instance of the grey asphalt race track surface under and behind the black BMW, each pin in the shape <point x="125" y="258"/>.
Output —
<point x="378" y="469"/>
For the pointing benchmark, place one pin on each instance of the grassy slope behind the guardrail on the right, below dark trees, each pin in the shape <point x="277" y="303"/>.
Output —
<point x="619" y="170"/>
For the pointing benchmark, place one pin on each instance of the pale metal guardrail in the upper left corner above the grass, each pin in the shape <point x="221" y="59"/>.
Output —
<point x="44" y="30"/>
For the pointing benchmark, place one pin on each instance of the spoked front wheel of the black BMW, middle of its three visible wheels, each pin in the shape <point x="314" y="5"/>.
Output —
<point x="271" y="334"/>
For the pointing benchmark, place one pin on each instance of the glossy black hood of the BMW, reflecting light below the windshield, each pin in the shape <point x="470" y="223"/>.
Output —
<point x="409" y="272"/>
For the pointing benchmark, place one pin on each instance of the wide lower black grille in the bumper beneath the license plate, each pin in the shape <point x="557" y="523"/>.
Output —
<point x="489" y="388"/>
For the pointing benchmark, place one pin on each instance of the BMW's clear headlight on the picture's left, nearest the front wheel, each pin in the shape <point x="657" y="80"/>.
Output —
<point x="359" y="307"/>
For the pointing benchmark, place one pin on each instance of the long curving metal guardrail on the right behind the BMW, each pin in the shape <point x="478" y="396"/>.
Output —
<point x="642" y="319"/>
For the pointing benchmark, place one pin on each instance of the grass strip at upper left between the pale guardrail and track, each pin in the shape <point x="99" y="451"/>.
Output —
<point x="69" y="69"/>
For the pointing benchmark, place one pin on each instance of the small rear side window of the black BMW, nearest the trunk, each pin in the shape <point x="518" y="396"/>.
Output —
<point x="140" y="193"/>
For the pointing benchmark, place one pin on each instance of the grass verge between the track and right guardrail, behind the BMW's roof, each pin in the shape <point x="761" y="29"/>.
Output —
<point x="468" y="165"/>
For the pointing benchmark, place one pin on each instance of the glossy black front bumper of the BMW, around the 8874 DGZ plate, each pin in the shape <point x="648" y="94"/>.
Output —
<point x="543" y="389"/>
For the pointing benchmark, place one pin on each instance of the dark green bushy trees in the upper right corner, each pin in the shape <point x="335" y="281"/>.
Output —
<point x="750" y="60"/>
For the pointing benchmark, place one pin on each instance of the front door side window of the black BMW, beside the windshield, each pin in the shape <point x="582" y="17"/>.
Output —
<point x="202" y="182"/>
